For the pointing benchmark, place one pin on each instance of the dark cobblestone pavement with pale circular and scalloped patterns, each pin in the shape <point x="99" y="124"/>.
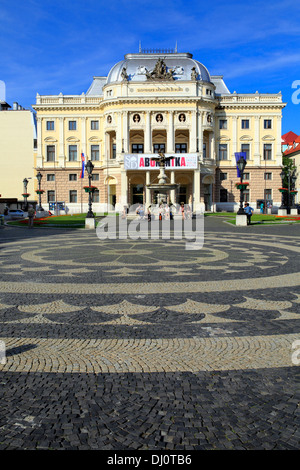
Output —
<point x="137" y="344"/>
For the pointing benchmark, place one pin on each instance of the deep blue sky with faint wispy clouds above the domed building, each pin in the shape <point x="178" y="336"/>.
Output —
<point x="52" y="47"/>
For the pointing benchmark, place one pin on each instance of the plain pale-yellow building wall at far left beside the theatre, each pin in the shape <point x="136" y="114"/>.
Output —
<point x="17" y="144"/>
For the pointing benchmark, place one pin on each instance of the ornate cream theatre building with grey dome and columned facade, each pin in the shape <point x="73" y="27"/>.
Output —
<point x="153" y="102"/>
